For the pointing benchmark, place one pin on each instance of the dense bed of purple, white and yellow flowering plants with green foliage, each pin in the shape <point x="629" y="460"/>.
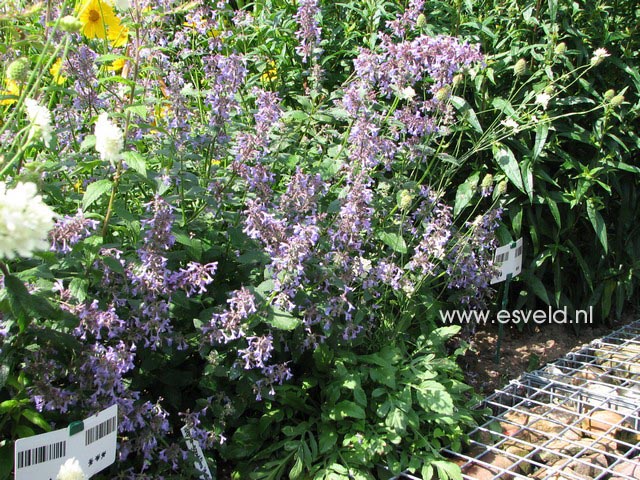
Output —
<point x="247" y="218"/>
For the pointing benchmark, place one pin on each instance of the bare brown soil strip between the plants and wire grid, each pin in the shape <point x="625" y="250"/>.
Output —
<point x="524" y="350"/>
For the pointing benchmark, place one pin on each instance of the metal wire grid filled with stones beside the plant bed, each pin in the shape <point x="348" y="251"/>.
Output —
<point x="573" y="419"/>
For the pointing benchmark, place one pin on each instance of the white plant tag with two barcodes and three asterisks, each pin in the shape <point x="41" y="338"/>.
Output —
<point x="92" y="442"/>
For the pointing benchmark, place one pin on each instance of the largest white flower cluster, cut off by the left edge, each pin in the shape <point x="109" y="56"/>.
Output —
<point x="25" y="221"/>
